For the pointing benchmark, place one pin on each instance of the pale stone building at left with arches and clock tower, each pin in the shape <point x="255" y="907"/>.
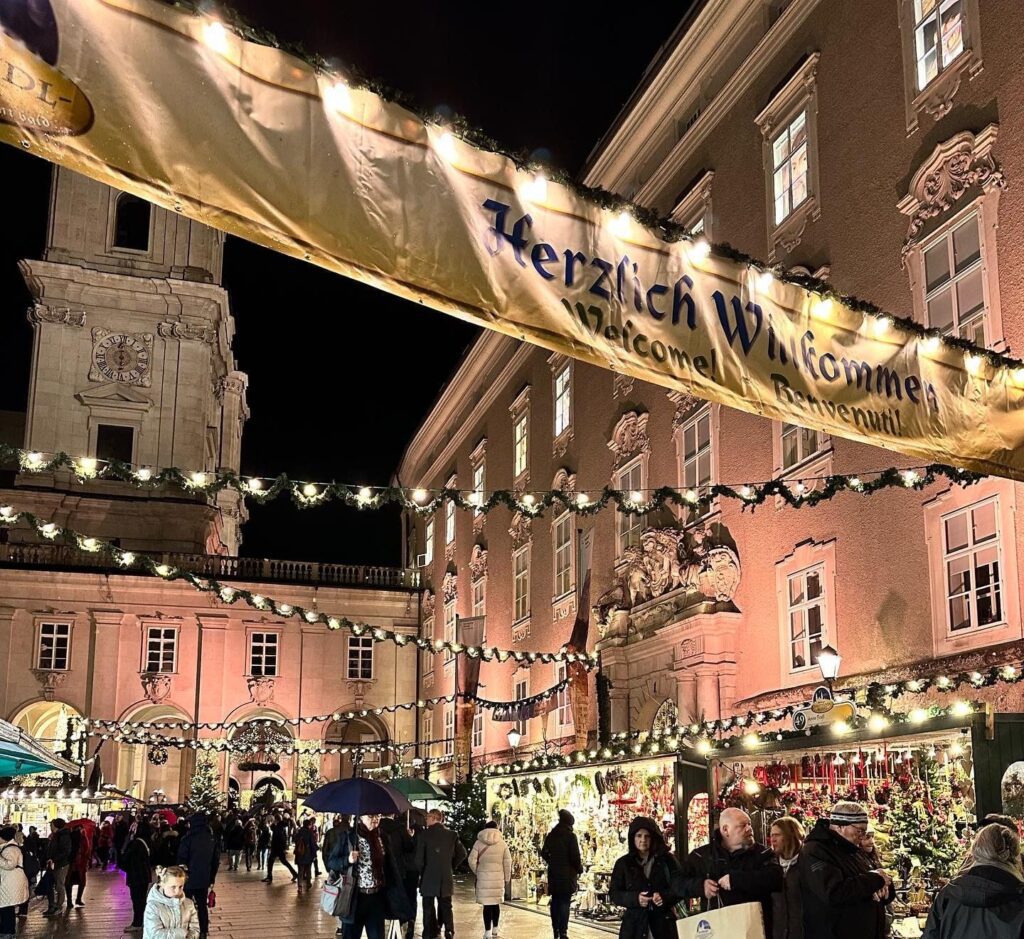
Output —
<point x="133" y="361"/>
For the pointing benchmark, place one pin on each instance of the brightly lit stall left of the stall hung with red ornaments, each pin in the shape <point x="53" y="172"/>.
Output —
<point x="604" y="798"/>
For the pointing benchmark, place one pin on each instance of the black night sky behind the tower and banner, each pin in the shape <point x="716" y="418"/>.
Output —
<point x="546" y="78"/>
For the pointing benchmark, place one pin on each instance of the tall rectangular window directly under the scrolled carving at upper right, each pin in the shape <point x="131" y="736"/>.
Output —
<point x="955" y="296"/>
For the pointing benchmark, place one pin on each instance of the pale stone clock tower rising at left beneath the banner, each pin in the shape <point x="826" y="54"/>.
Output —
<point x="133" y="361"/>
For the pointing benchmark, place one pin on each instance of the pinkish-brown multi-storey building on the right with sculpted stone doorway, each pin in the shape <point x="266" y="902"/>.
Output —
<point x="876" y="146"/>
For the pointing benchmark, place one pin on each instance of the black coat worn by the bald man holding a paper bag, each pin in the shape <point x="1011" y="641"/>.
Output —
<point x="754" y="876"/>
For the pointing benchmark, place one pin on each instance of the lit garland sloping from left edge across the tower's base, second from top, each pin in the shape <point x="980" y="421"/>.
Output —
<point x="131" y="561"/>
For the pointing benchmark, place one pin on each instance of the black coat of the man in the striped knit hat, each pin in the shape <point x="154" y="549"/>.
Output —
<point x="838" y="889"/>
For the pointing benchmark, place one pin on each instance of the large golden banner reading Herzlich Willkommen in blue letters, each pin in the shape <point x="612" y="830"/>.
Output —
<point x="178" y="109"/>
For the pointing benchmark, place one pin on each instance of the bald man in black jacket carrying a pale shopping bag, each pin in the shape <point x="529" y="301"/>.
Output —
<point x="733" y="869"/>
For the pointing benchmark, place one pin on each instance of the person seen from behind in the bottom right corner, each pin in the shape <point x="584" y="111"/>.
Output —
<point x="988" y="901"/>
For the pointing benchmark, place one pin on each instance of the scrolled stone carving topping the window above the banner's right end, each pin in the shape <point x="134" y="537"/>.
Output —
<point x="955" y="167"/>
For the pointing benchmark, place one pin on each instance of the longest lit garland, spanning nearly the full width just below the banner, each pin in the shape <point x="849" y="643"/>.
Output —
<point x="808" y="492"/>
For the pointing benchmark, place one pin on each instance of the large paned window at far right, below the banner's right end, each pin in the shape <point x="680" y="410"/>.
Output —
<point x="974" y="586"/>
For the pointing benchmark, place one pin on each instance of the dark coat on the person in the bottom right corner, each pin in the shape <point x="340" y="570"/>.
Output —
<point x="985" y="903"/>
